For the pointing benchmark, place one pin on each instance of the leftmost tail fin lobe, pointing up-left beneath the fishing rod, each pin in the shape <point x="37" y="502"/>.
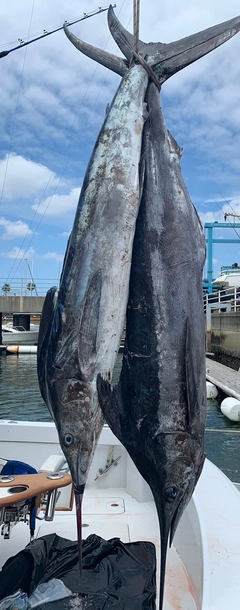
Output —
<point x="112" y="62"/>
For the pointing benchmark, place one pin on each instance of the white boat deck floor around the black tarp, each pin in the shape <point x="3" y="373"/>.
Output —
<point x="112" y="513"/>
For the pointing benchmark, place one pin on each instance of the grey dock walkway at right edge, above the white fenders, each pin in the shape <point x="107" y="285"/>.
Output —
<point x="223" y="377"/>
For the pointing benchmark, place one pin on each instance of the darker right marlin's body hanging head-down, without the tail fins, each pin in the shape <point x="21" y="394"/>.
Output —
<point x="158" y="410"/>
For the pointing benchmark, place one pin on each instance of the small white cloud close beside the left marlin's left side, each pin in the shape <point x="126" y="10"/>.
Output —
<point x="58" y="205"/>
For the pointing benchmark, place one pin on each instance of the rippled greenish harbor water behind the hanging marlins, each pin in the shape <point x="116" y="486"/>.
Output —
<point x="20" y="400"/>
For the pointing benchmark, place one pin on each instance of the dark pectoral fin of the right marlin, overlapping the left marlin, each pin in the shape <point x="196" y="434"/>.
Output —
<point x="108" y="400"/>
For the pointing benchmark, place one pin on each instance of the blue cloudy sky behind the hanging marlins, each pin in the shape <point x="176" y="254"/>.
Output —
<point x="53" y="102"/>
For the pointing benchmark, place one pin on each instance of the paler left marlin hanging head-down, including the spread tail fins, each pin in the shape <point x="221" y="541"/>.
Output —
<point x="80" y="334"/>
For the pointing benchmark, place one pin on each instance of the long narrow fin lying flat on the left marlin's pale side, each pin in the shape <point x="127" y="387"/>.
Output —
<point x="89" y="326"/>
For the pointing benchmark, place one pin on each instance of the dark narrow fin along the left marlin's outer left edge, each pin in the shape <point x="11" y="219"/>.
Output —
<point x="43" y="338"/>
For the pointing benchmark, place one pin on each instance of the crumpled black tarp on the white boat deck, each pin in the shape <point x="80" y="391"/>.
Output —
<point x="115" y="575"/>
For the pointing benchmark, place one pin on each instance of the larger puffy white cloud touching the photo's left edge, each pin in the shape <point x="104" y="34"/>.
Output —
<point x="20" y="177"/>
